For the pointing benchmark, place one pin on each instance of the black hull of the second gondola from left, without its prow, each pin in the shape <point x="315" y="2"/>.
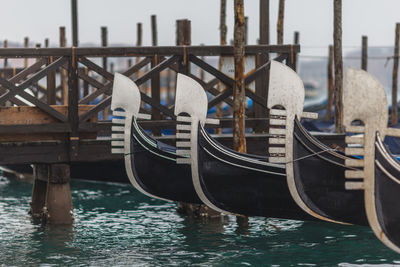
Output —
<point x="242" y="187"/>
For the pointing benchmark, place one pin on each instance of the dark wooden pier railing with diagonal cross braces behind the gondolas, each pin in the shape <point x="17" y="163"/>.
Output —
<point x="83" y="72"/>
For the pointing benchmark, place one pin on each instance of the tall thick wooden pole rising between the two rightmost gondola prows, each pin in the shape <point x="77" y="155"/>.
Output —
<point x="337" y="46"/>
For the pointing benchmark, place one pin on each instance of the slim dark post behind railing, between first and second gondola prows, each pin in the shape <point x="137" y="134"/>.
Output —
<point x="155" y="79"/>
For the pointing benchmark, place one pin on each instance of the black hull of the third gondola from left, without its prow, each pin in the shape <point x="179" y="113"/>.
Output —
<point x="319" y="176"/>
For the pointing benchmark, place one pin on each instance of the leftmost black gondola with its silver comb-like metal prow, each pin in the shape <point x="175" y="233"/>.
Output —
<point x="150" y="164"/>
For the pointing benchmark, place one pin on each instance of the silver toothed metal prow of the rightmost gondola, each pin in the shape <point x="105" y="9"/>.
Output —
<point x="373" y="112"/>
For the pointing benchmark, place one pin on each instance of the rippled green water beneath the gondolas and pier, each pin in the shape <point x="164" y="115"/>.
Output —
<point x="117" y="226"/>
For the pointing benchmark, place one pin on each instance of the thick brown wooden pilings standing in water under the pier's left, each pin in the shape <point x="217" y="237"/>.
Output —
<point x="51" y="194"/>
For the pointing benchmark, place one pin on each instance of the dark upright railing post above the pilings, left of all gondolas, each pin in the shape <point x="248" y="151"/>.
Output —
<point x="73" y="115"/>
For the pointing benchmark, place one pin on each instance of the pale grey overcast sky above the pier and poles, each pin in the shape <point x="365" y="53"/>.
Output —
<point x="41" y="19"/>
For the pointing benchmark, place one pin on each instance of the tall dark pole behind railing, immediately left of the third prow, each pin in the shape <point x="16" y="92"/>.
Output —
<point x="262" y="81"/>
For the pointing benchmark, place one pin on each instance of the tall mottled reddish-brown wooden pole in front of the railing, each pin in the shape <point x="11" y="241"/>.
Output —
<point x="239" y="140"/>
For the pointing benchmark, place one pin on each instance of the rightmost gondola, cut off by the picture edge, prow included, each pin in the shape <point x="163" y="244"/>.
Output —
<point x="379" y="174"/>
